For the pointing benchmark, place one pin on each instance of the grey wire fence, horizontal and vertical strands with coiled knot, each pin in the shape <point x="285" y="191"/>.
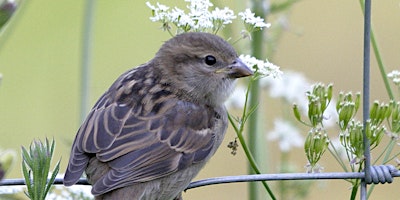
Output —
<point x="371" y="175"/>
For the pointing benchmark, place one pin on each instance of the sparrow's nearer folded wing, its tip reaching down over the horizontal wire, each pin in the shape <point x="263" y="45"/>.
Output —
<point x="157" y="145"/>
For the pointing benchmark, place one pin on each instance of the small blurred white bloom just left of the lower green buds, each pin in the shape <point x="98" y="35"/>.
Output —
<point x="286" y="134"/>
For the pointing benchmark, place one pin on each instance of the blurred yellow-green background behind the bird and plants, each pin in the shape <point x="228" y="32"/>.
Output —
<point x="40" y="59"/>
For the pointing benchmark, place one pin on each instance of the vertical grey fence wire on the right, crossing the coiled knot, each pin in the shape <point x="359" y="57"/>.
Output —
<point x="366" y="95"/>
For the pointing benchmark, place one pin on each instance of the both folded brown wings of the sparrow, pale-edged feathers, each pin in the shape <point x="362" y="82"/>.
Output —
<point x="142" y="142"/>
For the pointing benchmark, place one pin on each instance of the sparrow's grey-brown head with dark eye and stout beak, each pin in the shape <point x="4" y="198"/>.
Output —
<point x="201" y="65"/>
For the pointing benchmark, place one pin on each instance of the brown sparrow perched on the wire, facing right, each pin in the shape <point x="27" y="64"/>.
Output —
<point x="159" y="123"/>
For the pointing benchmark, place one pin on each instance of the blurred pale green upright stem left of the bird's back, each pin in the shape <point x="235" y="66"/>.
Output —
<point x="86" y="58"/>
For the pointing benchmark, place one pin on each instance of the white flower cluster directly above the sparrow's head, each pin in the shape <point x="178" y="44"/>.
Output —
<point x="199" y="18"/>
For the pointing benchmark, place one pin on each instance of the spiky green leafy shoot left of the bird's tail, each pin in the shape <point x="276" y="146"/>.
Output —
<point x="36" y="167"/>
